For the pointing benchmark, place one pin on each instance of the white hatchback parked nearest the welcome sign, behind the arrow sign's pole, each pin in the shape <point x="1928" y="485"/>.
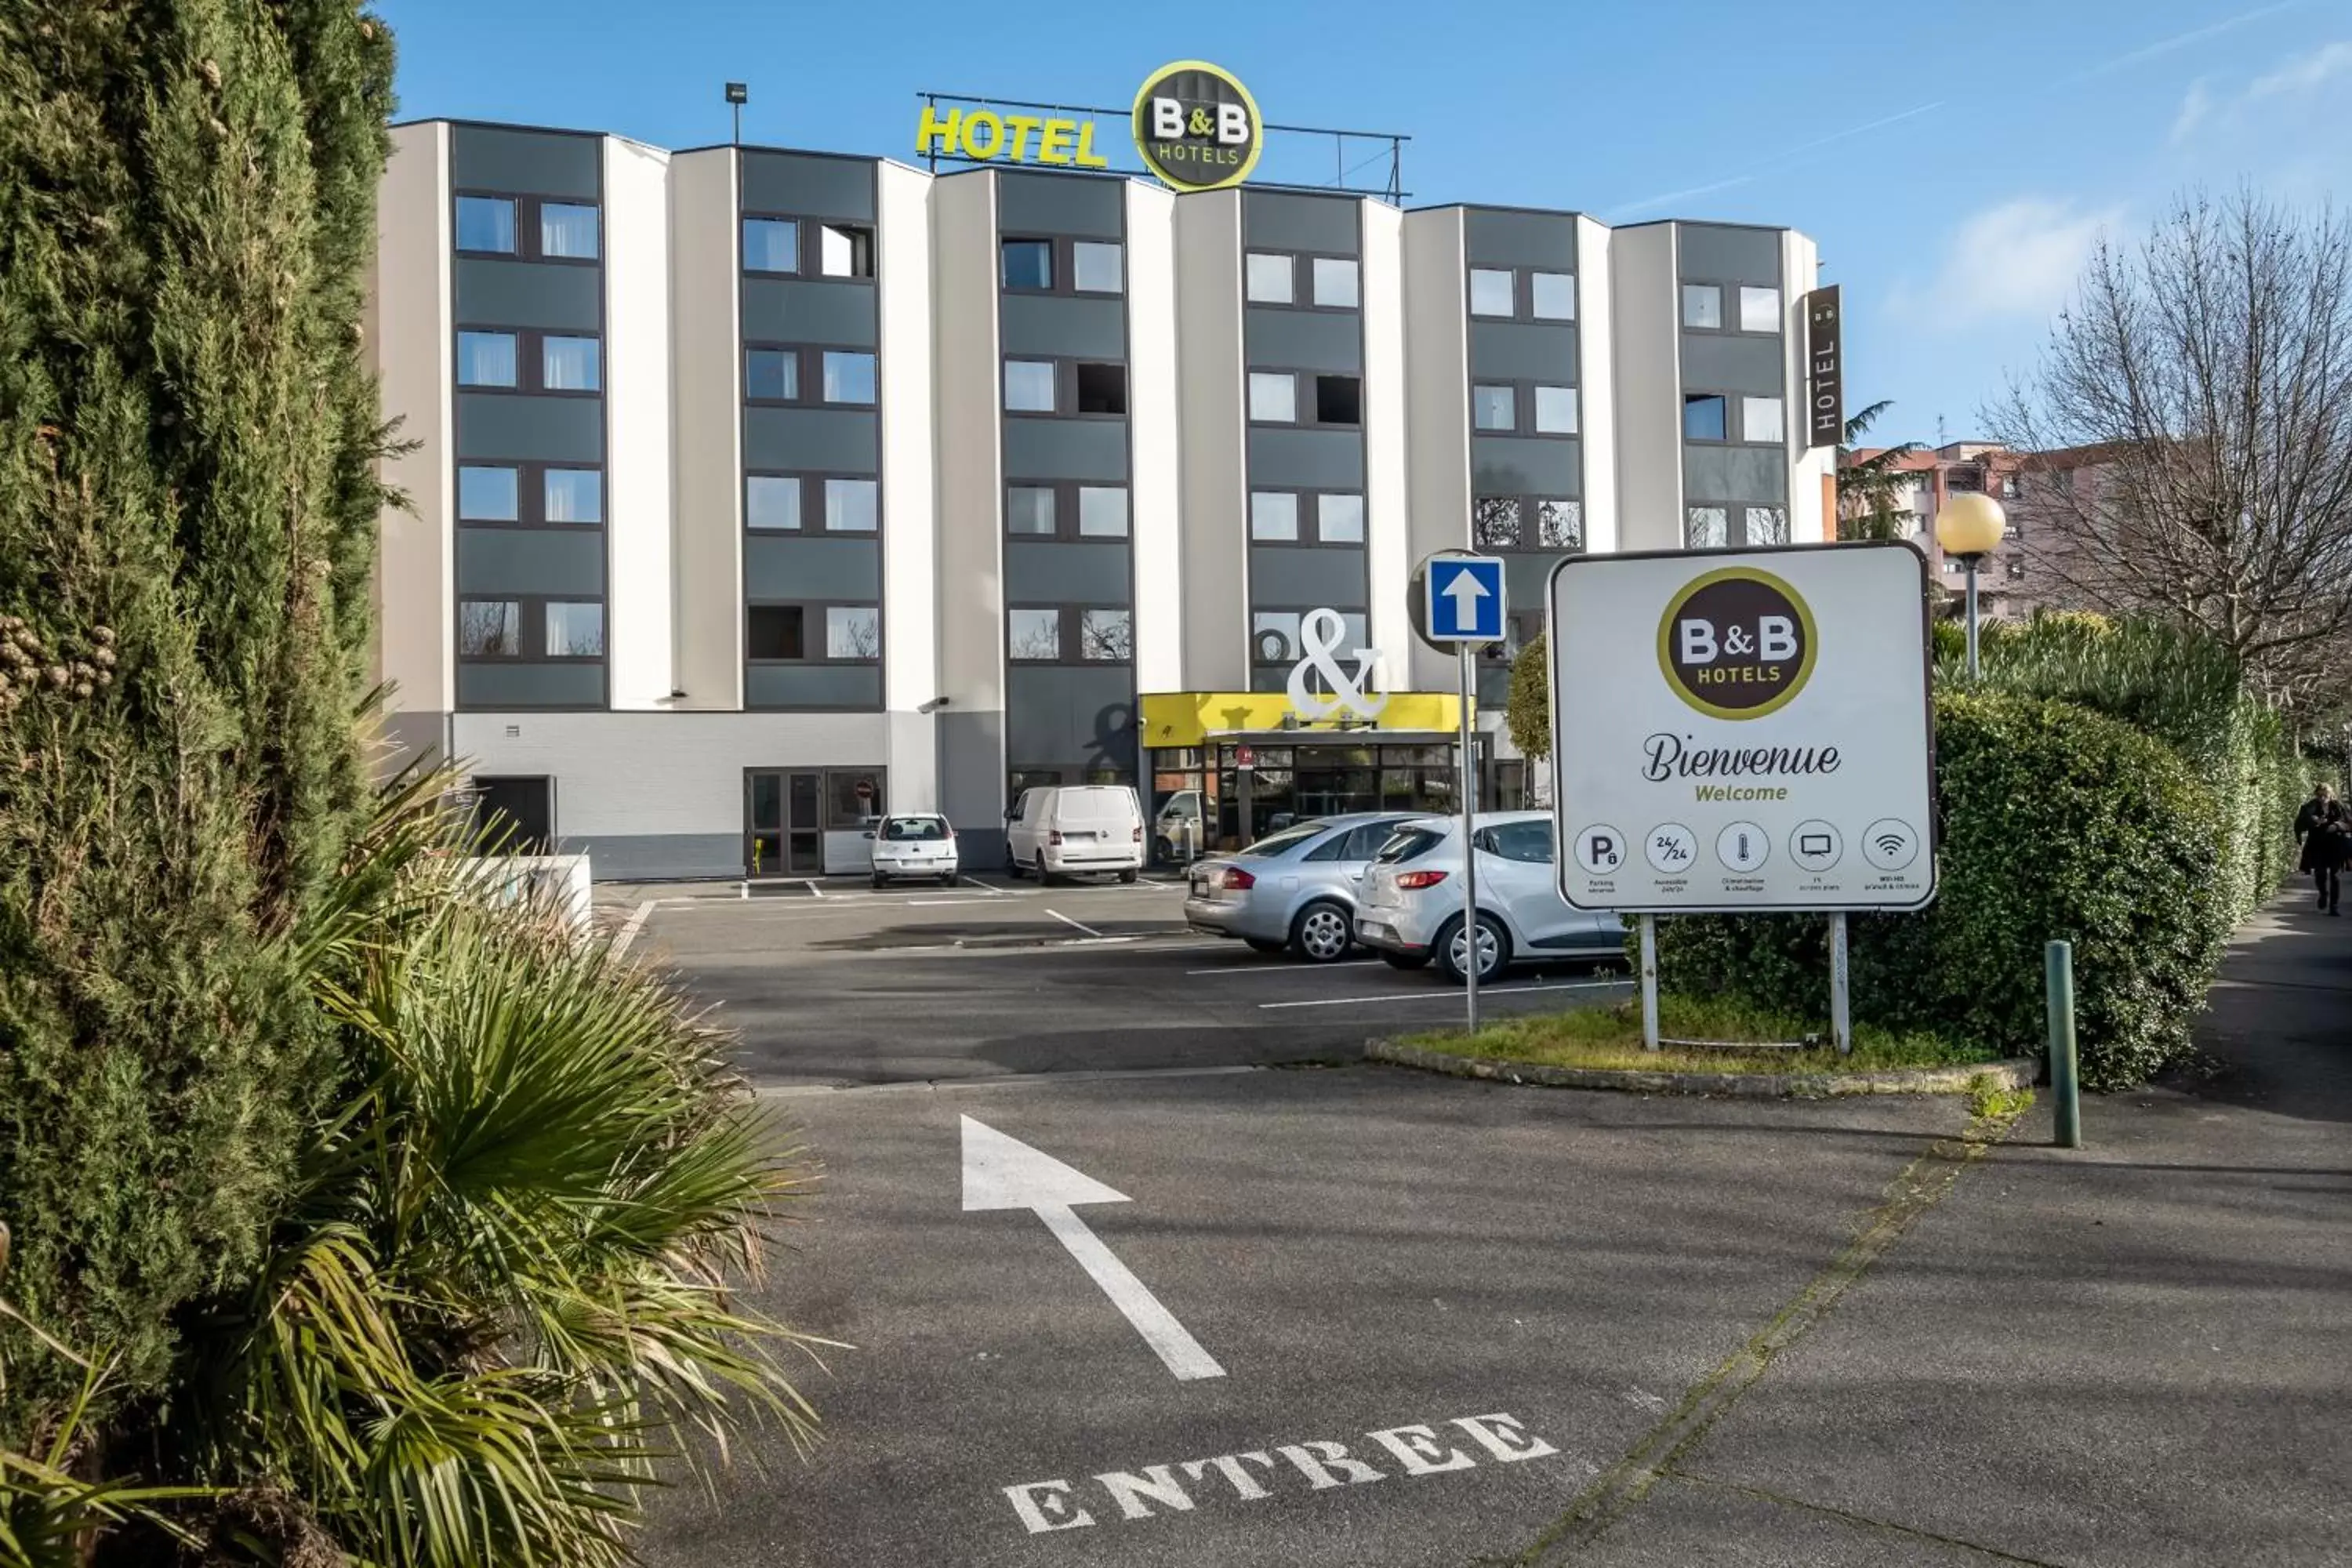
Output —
<point x="1412" y="904"/>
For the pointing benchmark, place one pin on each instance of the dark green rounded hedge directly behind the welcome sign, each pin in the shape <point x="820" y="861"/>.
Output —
<point x="2054" y="824"/>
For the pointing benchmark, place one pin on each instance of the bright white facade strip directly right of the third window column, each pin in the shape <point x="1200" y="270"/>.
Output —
<point x="1156" y="453"/>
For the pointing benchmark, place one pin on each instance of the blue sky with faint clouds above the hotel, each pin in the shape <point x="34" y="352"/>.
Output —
<point x="1956" y="161"/>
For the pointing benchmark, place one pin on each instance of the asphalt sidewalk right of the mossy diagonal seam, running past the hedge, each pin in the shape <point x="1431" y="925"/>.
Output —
<point x="2134" y="1355"/>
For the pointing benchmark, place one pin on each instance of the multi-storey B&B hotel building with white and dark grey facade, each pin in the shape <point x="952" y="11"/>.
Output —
<point x="759" y="490"/>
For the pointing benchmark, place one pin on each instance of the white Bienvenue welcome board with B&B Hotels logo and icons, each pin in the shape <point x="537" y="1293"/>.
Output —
<point x="1744" y="730"/>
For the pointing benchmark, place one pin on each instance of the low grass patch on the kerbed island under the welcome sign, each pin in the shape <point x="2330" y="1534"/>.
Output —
<point x="1610" y="1040"/>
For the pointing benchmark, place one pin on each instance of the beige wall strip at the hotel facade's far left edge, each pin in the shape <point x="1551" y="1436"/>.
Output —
<point x="410" y="347"/>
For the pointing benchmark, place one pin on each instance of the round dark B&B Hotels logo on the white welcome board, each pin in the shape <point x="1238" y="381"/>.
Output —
<point x="1737" y="643"/>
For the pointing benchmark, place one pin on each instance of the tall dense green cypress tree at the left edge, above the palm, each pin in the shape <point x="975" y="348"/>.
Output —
<point x="189" y="492"/>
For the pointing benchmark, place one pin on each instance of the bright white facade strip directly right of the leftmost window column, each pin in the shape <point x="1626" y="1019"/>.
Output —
<point x="639" y="612"/>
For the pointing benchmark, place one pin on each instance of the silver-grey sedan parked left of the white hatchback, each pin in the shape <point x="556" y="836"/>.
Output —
<point x="1292" y="890"/>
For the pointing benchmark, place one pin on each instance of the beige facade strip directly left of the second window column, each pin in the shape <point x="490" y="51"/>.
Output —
<point x="709" y="434"/>
